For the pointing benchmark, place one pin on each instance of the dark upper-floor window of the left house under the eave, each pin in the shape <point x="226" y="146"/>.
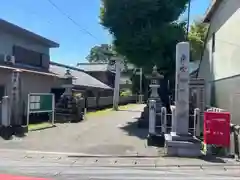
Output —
<point x="27" y="57"/>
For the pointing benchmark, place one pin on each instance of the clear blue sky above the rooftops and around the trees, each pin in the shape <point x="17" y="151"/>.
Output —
<point x="42" y="18"/>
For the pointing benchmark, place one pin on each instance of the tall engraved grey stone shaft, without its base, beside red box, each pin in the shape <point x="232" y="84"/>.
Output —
<point x="182" y="88"/>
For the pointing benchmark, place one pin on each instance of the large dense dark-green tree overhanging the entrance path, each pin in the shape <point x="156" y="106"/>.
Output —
<point x="145" y="31"/>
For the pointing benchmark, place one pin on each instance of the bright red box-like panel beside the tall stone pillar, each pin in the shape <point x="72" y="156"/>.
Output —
<point x="217" y="128"/>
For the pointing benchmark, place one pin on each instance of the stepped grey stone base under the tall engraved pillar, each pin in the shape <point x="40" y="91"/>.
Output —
<point x="183" y="146"/>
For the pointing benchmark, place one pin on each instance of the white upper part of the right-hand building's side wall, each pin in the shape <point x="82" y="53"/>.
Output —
<point x="225" y="62"/>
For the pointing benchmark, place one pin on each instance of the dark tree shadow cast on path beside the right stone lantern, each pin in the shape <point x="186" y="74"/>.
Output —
<point x="133" y="130"/>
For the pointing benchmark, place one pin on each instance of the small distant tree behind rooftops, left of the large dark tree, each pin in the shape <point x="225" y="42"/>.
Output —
<point x="100" y="54"/>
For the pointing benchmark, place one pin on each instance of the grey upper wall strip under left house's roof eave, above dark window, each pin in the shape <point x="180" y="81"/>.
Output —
<point x="7" y="41"/>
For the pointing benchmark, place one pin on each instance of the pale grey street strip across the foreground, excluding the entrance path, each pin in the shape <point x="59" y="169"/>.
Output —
<point x="63" y="167"/>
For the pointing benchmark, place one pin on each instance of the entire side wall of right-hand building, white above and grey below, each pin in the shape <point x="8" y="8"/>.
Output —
<point x="219" y="68"/>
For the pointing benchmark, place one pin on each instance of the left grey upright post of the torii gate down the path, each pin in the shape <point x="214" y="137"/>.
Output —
<point x="117" y="63"/>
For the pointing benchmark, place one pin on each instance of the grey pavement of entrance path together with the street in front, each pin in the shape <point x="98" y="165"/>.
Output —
<point x="92" y="150"/>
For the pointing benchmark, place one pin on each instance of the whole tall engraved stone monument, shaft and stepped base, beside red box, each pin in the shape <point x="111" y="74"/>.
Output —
<point x="179" y="142"/>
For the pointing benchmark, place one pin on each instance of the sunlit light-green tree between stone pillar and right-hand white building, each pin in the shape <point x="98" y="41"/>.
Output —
<point x="196" y="36"/>
